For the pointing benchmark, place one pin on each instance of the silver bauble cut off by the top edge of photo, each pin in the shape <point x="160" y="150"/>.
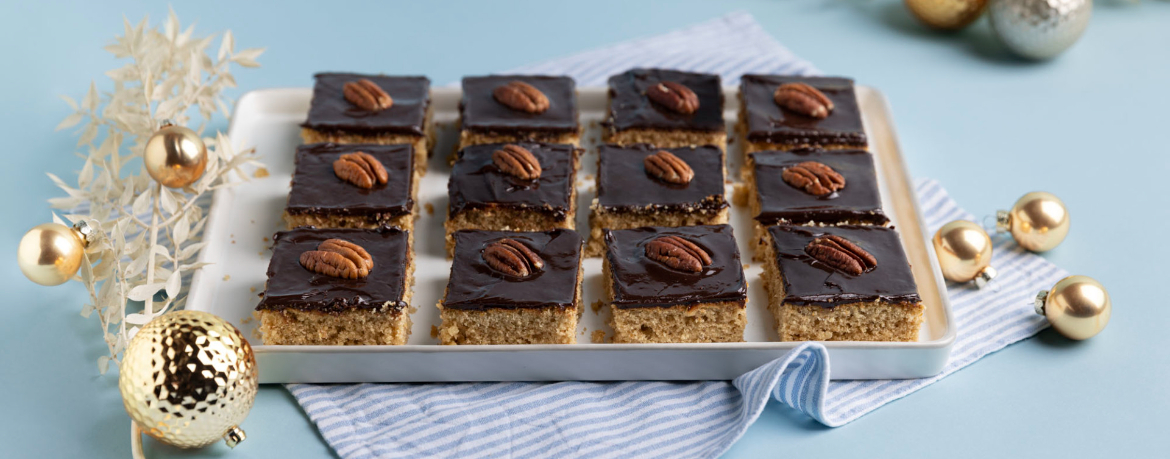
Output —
<point x="1040" y="29"/>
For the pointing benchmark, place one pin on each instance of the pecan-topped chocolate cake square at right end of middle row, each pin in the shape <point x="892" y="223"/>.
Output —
<point x="814" y="188"/>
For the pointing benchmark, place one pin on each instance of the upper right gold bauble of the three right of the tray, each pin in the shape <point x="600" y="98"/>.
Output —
<point x="1038" y="222"/>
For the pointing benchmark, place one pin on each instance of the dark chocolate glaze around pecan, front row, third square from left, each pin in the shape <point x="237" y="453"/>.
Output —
<point x="639" y="282"/>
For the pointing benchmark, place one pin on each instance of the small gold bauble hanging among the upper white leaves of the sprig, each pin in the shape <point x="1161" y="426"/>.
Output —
<point x="175" y="156"/>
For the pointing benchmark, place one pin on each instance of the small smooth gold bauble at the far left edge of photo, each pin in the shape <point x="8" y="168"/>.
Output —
<point x="51" y="255"/>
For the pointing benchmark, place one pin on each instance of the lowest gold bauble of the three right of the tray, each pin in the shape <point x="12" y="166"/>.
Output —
<point x="1078" y="307"/>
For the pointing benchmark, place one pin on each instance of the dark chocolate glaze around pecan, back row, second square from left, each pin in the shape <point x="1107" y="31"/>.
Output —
<point x="480" y="112"/>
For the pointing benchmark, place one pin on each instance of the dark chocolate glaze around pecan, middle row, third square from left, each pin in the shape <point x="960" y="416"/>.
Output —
<point x="625" y="186"/>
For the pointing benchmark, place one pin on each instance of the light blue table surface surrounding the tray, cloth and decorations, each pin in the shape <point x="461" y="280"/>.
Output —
<point x="989" y="127"/>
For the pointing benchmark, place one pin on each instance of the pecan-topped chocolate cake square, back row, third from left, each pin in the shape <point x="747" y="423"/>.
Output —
<point x="650" y="106"/>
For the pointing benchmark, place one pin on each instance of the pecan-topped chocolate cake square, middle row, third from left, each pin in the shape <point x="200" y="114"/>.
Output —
<point x="639" y="186"/>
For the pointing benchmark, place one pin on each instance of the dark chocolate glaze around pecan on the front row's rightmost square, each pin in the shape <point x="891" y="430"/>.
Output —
<point x="808" y="282"/>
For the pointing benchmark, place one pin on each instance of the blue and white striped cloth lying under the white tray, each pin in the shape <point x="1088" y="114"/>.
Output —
<point x="664" y="419"/>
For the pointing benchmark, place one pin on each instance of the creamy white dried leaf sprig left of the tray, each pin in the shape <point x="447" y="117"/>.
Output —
<point x="148" y="237"/>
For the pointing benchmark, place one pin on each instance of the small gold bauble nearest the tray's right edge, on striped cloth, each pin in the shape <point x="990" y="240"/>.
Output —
<point x="965" y="254"/>
